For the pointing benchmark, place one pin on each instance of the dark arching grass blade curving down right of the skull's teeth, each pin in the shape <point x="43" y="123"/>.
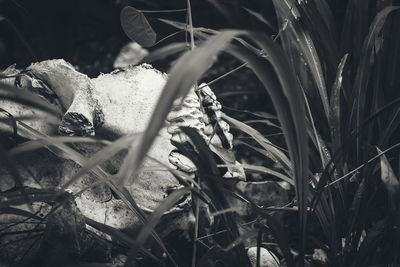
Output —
<point x="289" y="105"/>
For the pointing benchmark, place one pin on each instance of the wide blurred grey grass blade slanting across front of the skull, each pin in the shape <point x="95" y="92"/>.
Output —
<point x="187" y="70"/>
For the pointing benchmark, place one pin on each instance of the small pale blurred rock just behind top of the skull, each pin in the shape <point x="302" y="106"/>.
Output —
<point x="131" y="54"/>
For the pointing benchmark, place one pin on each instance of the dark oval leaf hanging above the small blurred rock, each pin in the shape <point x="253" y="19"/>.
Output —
<point x="136" y="27"/>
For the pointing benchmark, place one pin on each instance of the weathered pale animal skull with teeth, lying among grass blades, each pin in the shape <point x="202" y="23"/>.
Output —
<point x="110" y="106"/>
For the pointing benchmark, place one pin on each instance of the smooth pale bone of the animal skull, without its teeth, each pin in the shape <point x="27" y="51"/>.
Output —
<point x="125" y="99"/>
